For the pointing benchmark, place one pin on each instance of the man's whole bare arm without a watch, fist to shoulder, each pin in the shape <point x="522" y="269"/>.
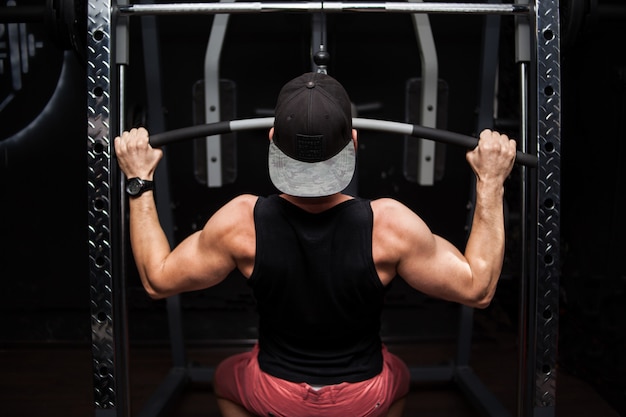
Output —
<point x="404" y="244"/>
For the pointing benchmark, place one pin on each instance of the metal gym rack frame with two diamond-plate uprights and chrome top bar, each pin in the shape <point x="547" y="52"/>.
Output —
<point x="107" y="33"/>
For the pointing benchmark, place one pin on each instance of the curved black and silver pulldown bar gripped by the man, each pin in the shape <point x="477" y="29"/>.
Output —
<point x="438" y="135"/>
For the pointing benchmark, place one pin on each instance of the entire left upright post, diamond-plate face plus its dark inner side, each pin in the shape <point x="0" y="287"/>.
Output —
<point x="108" y="308"/>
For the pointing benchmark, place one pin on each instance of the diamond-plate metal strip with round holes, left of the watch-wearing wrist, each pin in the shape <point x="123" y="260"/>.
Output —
<point x="99" y="195"/>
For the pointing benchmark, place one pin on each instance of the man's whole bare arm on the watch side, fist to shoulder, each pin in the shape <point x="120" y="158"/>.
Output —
<point x="201" y="260"/>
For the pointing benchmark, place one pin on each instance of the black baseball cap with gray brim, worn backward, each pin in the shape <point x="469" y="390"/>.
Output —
<point x="311" y="153"/>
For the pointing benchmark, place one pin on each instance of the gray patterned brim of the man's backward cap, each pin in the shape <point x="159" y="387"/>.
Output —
<point x="311" y="179"/>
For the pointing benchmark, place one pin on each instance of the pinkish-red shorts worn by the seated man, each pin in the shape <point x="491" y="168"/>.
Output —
<point x="240" y="380"/>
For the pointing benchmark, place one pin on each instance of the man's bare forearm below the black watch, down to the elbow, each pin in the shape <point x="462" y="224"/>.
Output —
<point x="148" y="241"/>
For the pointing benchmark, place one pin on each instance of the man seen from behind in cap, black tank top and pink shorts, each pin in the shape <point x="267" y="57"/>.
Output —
<point x="318" y="261"/>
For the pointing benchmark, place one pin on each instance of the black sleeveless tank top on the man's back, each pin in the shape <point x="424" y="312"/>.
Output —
<point x="318" y="295"/>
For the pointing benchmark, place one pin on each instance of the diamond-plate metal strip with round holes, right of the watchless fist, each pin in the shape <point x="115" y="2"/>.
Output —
<point x="548" y="201"/>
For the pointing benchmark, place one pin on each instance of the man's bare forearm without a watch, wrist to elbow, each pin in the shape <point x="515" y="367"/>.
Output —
<point x="485" y="246"/>
